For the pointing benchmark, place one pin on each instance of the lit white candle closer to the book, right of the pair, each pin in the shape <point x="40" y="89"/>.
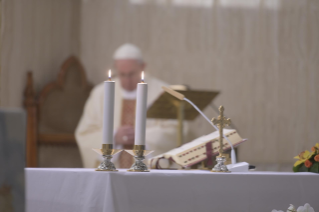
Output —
<point x="140" y="112"/>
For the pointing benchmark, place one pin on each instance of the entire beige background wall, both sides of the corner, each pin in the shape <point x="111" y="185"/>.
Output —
<point x="261" y="54"/>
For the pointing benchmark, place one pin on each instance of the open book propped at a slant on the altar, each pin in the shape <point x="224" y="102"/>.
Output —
<point x="198" y="150"/>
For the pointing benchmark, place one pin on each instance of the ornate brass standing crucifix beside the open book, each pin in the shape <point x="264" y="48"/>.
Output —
<point x="221" y="122"/>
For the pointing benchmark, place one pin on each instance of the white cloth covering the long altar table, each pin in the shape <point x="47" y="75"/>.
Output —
<point x="85" y="190"/>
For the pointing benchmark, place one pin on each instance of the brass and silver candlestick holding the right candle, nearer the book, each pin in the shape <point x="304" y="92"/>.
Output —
<point x="139" y="153"/>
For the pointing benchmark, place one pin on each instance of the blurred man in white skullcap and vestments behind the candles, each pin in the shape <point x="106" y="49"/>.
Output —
<point x="160" y="134"/>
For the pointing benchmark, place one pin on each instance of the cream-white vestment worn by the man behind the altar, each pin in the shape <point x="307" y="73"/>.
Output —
<point x="161" y="134"/>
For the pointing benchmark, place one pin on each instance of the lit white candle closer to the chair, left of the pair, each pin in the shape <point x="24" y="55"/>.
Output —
<point x="108" y="110"/>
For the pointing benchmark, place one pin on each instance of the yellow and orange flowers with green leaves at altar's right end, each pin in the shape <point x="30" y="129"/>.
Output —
<point x="308" y="161"/>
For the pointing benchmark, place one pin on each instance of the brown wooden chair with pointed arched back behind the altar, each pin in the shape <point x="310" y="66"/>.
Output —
<point x="52" y="117"/>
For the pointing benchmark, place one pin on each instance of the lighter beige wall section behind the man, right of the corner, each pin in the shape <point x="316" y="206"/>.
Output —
<point x="263" y="57"/>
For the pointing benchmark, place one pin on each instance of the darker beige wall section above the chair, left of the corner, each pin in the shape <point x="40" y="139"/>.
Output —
<point x="36" y="35"/>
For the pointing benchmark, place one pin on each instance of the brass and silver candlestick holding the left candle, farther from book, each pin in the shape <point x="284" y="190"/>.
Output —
<point x="107" y="152"/>
